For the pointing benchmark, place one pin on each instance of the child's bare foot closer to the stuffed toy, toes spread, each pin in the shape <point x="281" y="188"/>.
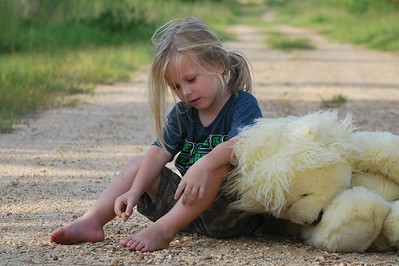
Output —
<point x="154" y="237"/>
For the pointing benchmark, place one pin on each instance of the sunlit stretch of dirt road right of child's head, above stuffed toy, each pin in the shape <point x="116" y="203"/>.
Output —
<point x="296" y="82"/>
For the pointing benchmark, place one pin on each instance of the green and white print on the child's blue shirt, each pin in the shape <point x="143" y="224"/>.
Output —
<point x="192" y="152"/>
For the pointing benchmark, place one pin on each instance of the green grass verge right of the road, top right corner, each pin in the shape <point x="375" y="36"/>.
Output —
<point x="372" y="24"/>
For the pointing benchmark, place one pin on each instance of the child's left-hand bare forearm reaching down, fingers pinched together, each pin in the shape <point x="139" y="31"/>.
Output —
<point x="154" y="160"/>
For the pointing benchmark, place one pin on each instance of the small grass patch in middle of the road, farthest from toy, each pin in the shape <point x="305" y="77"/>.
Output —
<point x="288" y="43"/>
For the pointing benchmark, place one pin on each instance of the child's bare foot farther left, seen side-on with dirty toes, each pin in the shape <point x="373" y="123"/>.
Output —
<point x="80" y="230"/>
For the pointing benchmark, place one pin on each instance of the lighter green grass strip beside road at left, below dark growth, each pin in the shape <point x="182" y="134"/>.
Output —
<point x="32" y="82"/>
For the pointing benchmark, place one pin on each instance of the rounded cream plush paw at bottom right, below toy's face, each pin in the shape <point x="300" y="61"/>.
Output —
<point x="351" y="222"/>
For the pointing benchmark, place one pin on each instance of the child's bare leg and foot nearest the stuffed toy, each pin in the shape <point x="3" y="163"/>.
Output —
<point x="159" y="234"/>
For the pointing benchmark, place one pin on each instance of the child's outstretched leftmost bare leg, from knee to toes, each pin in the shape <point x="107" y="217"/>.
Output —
<point x="89" y="227"/>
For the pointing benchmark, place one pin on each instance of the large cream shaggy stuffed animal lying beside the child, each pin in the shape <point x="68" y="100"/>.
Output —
<point x="338" y="187"/>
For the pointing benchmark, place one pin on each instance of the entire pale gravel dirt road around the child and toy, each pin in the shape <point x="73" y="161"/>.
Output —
<point x="53" y="169"/>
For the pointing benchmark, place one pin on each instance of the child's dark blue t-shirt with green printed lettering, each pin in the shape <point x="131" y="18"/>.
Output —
<point x="185" y="135"/>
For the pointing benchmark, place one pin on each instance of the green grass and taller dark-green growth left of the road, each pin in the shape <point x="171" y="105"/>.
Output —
<point x="53" y="49"/>
